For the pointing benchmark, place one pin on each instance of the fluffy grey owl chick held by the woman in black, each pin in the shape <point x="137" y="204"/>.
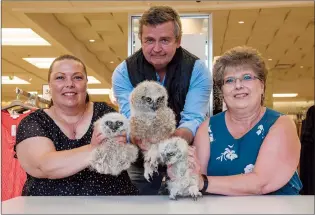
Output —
<point x="111" y="157"/>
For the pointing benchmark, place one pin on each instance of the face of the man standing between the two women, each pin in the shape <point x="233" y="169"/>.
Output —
<point x="159" y="44"/>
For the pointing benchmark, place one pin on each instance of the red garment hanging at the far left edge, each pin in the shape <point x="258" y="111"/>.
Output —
<point x="13" y="176"/>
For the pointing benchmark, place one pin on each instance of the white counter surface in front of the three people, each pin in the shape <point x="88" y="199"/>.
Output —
<point x="159" y="205"/>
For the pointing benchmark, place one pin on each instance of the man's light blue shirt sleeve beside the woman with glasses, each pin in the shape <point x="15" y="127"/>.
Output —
<point x="197" y="98"/>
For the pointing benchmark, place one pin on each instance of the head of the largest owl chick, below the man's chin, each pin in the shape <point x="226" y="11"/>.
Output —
<point x="148" y="96"/>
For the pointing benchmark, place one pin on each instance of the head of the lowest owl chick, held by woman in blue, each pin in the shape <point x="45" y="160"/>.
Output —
<point x="173" y="150"/>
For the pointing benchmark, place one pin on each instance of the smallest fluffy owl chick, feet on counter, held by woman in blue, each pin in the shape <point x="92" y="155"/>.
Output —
<point x="174" y="152"/>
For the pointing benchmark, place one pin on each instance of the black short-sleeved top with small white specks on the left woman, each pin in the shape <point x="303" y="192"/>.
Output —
<point x="84" y="183"/>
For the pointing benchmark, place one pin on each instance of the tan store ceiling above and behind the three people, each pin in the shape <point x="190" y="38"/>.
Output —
<point x="282" y="31"/>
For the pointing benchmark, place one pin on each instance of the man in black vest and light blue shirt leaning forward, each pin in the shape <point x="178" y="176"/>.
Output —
<point x="186" y="78"/>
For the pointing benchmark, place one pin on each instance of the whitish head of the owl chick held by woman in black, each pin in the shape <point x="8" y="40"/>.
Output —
<point x="113" y="124"/>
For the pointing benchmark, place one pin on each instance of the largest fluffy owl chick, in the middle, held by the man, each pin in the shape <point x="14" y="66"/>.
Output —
<point x="151" y="120"/>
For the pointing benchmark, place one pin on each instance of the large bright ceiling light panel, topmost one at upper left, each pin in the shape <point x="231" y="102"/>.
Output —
<point x="22" y="37"/>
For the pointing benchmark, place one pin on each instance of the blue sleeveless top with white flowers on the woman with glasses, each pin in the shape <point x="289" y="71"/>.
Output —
<point x="231" y="156"/>
